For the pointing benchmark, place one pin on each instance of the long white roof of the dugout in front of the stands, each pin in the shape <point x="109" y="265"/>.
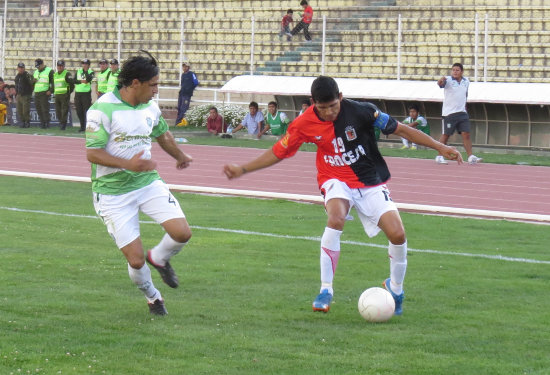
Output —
<point x="428" y="91"/>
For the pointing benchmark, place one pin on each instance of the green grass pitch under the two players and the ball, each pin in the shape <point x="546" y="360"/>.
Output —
<point x="244" y="306"/>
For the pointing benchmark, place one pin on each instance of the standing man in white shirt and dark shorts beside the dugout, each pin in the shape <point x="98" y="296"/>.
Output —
<point x="454" y="112"/>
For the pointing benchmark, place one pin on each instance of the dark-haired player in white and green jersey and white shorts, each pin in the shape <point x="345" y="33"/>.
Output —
<point x="119" y="131"/>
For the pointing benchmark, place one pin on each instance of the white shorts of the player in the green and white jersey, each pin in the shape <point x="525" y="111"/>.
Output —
<point x="120" y="213"/>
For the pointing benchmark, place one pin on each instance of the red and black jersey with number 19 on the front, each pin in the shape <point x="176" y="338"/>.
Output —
<point x="346" y="148"/>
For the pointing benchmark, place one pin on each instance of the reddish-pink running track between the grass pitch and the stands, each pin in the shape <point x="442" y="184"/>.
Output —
<point x="494" y="187"/>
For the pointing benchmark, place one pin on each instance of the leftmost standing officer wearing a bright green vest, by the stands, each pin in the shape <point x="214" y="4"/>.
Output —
<point x="43" y="88"/>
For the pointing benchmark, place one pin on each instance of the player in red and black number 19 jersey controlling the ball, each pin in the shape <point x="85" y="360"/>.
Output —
<point x="351" y="173"/>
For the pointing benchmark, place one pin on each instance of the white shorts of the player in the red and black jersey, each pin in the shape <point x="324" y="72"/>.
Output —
<point x="370" y="203"/>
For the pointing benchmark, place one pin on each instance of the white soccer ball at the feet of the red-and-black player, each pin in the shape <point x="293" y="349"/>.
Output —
<point x="376" y="305"/>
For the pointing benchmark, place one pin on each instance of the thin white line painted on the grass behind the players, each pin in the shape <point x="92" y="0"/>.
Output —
<point x="305" y="238"/>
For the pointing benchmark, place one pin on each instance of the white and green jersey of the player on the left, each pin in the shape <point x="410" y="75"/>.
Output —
<point x="123" y="131"/>
